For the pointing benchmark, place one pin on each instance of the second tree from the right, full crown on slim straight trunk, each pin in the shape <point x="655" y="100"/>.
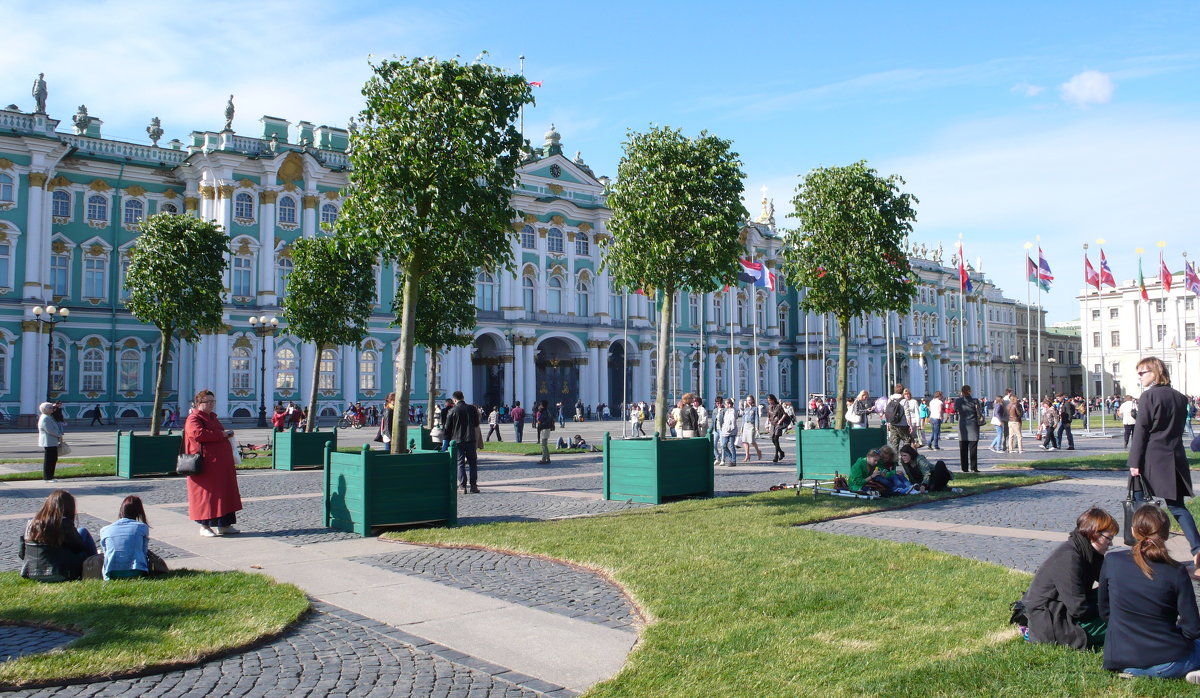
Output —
<point x="676" y="220"/>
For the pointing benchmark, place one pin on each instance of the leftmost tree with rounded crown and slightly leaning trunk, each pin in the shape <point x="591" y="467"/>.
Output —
<point x="176" y="285"/>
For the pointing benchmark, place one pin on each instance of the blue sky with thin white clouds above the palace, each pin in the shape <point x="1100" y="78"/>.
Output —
<point x="1064" y="121"/>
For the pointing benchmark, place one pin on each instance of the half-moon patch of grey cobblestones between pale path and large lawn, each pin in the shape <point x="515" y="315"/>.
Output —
<point x="531" y="582"/>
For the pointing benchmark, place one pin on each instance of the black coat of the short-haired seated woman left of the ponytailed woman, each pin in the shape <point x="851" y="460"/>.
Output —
<point x="1061" y="595"/>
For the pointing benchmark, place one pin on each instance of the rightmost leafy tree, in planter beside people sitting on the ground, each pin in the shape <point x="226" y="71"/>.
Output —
<point x="849" y="251"/>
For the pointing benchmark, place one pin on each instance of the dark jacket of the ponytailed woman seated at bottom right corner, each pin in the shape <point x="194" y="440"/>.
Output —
<point x="1151" y="622"/>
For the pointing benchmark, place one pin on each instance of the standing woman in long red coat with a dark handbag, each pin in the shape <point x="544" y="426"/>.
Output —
<point x="213" y="497"/>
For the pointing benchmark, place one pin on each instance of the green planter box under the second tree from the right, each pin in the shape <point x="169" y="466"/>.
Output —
<point x="656" y="470"/>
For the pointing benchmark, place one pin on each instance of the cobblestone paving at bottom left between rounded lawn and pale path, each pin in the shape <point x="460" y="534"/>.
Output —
<point x="331" y="653"/>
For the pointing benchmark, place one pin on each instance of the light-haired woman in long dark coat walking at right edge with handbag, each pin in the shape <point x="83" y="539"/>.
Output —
<point x="1156" y="449"/>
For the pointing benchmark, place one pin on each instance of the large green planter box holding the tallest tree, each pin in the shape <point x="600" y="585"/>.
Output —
<point x="373" y="490"/>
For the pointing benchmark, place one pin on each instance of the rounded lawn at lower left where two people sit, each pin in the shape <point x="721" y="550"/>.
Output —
<point x="133" y="625"/>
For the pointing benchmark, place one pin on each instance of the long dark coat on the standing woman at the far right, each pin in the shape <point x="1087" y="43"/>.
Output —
<point x="1157" y="443"/>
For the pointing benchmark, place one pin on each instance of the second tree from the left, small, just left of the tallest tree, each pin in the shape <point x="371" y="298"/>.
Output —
<point x="331" y="294"/>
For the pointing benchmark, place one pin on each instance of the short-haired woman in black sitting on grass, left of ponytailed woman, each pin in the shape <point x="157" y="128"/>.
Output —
<point x="1061" y="606"/>
